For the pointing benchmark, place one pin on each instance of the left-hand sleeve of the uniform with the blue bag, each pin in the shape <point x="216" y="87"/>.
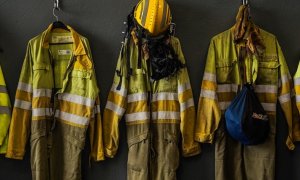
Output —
<point x="209" y="113"/>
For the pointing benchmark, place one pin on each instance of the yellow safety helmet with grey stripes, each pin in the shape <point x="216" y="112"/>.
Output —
<point x="153" y="15"/>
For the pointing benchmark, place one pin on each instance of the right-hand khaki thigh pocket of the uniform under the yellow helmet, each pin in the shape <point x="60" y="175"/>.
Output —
<point x="171" y="152"/>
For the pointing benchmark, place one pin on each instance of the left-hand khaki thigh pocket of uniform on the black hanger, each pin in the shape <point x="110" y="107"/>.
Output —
<point x="38" y="145"/>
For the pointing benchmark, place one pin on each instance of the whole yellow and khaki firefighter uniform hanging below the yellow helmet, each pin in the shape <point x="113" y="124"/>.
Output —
<point x="152" y="142"/>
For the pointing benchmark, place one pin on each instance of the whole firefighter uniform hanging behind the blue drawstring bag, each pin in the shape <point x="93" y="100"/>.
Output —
<point x="220" y="84"/>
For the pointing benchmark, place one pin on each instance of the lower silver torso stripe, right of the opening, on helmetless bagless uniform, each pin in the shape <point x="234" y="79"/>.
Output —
<point x="72" y="118"/>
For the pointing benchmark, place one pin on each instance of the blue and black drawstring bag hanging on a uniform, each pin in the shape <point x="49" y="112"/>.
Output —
<point x="245" y="118"/>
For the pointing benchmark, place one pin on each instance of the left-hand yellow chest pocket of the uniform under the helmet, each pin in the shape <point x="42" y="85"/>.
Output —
<point x="137" y="81"/>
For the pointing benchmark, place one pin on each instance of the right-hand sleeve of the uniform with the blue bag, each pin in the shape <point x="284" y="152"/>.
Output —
<point x="287" y="101"/>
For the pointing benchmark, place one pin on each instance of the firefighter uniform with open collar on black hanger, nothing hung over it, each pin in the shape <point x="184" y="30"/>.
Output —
<point x="56" y="101"/>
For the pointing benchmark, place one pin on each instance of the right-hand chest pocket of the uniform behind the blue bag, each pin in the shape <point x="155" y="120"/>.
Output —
<point x="268" y="72"/>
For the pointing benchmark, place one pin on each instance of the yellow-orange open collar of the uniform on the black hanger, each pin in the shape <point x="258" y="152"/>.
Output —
<point x="78" y="45"/>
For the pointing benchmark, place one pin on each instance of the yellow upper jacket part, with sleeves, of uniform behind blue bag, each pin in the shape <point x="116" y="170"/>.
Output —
<point x="222" y="78"/>
